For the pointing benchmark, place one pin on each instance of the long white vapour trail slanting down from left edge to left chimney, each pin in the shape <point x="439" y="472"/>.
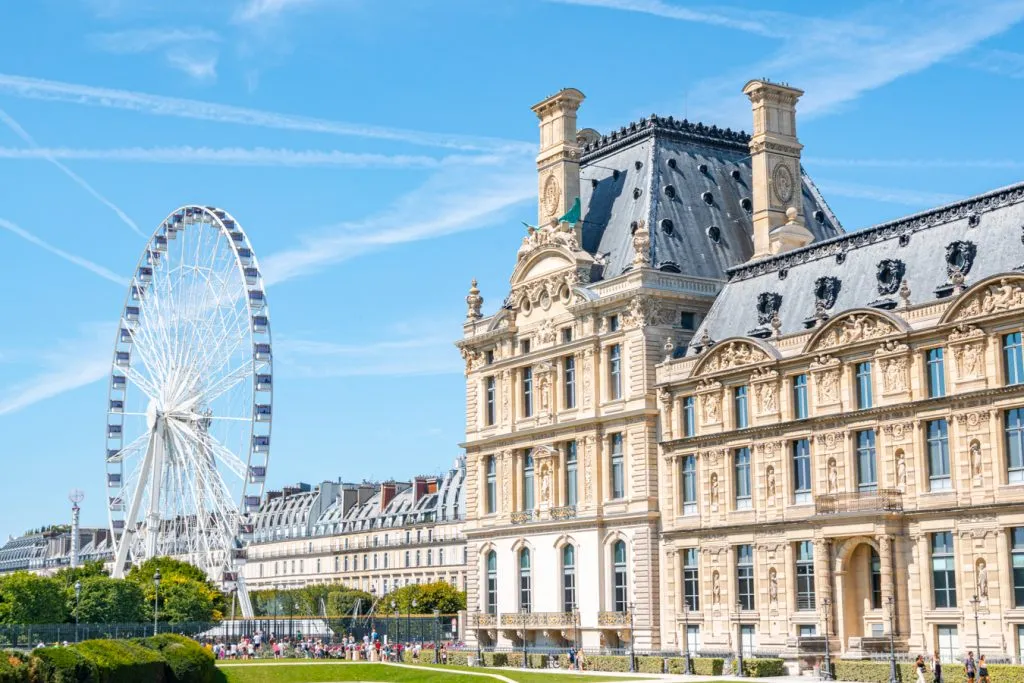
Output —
<point x="34" y="89"/>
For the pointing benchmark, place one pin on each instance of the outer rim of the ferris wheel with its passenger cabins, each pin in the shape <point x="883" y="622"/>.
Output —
<point x="228" y="227"/>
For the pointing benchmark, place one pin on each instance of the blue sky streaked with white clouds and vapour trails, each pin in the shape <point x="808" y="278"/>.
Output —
<point x="379" y="153"/>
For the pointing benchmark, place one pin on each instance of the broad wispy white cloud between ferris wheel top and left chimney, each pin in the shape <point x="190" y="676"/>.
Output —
<point x="449" y="202"/>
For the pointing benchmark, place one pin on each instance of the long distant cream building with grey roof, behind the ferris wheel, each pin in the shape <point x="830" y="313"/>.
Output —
<point x="374" y="537"/>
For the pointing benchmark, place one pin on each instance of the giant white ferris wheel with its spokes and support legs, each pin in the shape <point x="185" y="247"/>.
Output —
<point x="190" y="402"/>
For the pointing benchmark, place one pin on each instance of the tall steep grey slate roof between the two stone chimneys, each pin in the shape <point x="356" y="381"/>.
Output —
<point x="626" y="177"/>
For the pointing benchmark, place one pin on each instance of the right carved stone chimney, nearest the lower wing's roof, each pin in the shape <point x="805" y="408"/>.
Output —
<point x="779" y="205"/>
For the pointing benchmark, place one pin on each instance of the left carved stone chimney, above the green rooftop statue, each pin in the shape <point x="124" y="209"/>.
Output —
<point x="559" y="160"/>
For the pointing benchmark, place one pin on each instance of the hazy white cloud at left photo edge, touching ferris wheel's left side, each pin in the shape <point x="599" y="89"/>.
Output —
<point x="69" y="365"/>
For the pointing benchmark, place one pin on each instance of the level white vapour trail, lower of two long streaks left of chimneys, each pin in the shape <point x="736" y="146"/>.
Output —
<point x="248" y="157"/>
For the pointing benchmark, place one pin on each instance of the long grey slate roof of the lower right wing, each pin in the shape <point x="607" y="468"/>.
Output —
<point x="994" y="223"/>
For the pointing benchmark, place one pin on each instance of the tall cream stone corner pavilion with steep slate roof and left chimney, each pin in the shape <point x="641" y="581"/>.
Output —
<point x="563" y="419"/>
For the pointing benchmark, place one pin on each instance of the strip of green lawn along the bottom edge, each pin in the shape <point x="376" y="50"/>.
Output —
<point x="320" y="673"/>
